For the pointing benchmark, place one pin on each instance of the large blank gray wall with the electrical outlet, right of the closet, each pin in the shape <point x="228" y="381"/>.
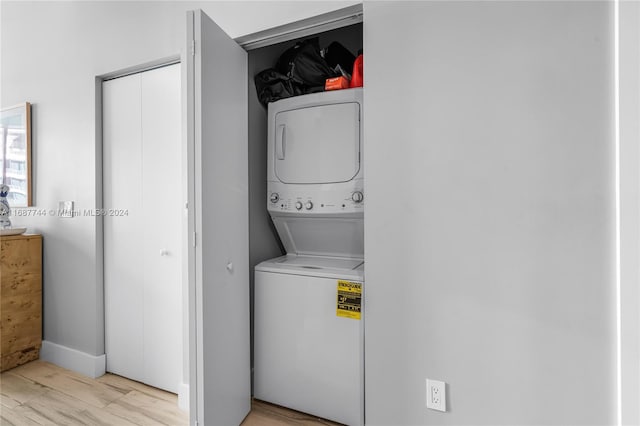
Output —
<point x="490" y="223"/>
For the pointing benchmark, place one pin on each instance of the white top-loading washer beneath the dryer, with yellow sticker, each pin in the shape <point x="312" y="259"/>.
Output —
<point x="307" y="357"/>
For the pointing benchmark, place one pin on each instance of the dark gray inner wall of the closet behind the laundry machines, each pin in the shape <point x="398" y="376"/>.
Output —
<point x="263" y="241"/>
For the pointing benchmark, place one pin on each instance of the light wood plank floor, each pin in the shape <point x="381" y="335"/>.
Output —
<point x="40" y="393"/>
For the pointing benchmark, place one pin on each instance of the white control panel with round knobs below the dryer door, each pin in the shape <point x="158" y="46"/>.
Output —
<point x="317" y="199"/>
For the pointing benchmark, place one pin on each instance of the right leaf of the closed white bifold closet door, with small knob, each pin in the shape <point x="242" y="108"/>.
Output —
<point x="161" y="192"/>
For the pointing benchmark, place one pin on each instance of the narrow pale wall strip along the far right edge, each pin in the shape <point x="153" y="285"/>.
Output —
<point x="627" y="103"/>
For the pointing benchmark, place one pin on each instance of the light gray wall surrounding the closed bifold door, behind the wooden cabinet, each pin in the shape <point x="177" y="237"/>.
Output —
<point x="51" y="54"/>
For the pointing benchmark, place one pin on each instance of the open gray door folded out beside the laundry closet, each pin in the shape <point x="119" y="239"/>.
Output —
<point x="219" y="276"/>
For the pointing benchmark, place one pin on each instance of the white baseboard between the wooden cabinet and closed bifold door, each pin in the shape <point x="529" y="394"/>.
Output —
<point x="72" y="359"/>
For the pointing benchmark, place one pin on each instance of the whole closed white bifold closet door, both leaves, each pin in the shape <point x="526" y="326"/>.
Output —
<point x="142" y="226"/>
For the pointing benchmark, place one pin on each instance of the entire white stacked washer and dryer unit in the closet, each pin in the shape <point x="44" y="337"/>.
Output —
<point x="308" y="312"/>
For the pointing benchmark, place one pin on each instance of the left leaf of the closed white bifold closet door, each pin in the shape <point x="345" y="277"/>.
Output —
<point x="123" y="284"/>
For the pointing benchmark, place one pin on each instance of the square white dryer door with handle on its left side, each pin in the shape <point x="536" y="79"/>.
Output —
<point x="319" y="144"/>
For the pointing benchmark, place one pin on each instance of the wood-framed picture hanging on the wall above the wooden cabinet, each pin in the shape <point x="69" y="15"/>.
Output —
<point x="15" y="153"/>
